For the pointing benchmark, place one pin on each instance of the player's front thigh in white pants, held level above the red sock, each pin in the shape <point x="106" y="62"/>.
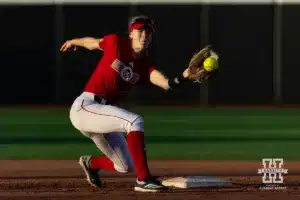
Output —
<point x="97" y="118"/>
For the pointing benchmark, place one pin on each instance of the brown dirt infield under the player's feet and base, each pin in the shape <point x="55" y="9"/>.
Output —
<point x="63" y="179"/>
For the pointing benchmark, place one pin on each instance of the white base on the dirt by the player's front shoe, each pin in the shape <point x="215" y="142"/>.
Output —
<point x="195" y="181"/>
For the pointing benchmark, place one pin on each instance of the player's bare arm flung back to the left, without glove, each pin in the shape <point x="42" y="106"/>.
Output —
<point x="85" y="42"/>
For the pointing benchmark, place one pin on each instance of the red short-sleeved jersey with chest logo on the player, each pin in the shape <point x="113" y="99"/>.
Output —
<point x="118" y="70"/>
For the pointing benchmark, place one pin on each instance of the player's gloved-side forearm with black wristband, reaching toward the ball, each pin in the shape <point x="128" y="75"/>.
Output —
<point x="158" y="79"/>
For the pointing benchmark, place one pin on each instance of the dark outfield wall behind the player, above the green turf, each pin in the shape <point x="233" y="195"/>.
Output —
<point x="258" y="47"/>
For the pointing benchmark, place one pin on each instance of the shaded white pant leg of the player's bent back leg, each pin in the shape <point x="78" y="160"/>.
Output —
<point x="114" y="146"/>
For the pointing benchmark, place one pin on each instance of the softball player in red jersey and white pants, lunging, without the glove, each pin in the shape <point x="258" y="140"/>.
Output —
<point x="96" y="114"/>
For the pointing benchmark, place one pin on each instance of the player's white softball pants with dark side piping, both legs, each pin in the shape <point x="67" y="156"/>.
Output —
<point x="105" y="125"/>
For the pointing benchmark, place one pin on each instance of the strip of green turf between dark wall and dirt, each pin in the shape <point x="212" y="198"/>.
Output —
<point x="171" y="133"/>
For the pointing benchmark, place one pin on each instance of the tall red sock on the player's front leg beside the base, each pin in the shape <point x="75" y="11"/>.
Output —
<point x="136" y="146"/>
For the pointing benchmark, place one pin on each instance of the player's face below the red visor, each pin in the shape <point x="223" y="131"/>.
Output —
<point x="140" y="39"/>
